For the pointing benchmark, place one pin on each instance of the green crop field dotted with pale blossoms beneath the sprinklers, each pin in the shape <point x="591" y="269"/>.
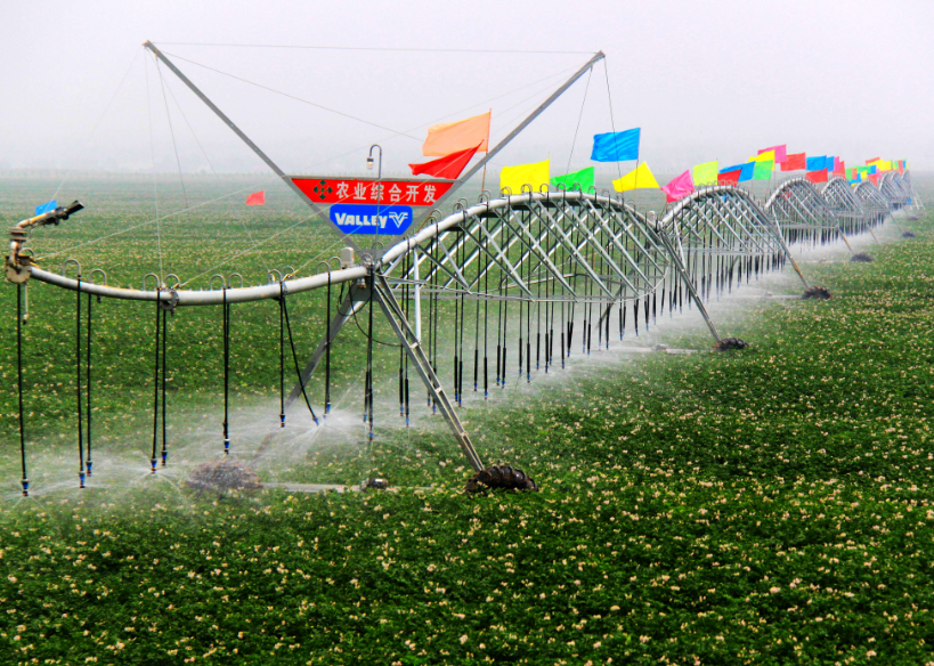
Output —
<point x="766" y="506"/>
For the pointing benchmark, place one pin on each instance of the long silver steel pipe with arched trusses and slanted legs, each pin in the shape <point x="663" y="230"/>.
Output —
<point x="546" y="254"/>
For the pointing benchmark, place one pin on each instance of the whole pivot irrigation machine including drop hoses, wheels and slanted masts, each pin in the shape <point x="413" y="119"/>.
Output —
<point x="521" y="280"/>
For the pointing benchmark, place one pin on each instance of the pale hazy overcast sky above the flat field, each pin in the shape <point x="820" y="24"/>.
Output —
<point x="704" y="81"/>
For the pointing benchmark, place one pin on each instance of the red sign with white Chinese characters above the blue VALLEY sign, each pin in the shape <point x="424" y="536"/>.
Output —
<point x="387" y="191"/>
